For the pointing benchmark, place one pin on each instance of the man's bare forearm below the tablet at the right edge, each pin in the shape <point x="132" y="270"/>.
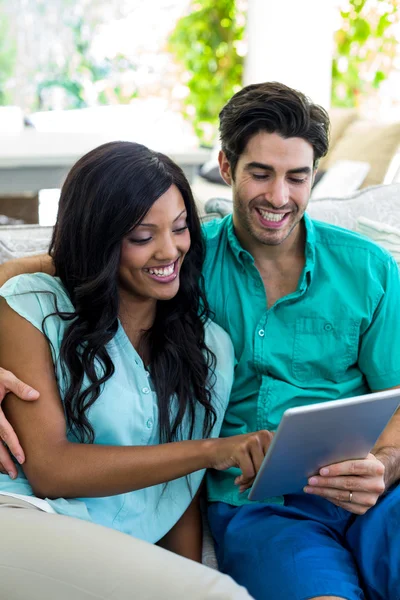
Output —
<point x="387" y="450"/>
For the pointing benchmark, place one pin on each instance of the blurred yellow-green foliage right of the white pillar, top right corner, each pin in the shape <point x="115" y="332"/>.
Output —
<point x="365" y="49"/>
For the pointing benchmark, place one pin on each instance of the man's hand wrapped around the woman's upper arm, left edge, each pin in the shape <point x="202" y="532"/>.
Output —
<point x="9" y="383"/>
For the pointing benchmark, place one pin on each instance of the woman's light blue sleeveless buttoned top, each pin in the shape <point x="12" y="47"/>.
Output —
<point x="125" y="414"/>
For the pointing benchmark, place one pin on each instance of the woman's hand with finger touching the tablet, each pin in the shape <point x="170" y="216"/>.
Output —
<point x="245" y="451"/>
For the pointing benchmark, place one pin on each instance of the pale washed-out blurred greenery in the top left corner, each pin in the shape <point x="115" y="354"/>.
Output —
<point x="46" y="57"/>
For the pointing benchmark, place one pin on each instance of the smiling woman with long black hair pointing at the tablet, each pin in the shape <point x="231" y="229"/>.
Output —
<point x="133" y="376"/>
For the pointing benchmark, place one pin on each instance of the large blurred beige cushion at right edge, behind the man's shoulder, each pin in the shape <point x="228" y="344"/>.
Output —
<point x="369" y="142"/>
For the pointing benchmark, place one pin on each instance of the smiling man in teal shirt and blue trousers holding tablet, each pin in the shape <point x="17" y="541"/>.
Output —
<point x="312" y="312"/>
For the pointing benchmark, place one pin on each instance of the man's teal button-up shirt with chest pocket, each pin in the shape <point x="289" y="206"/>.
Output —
<point x="337" y="336"/>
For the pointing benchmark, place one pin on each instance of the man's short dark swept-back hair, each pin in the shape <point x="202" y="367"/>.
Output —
<point x="274" y="108"/>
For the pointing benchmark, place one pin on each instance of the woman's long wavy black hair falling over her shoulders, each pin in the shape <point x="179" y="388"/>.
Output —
<point x="106" y="193"/>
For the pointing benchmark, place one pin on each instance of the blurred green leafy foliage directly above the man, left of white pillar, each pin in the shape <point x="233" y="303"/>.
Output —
<point x="206" y="44"/>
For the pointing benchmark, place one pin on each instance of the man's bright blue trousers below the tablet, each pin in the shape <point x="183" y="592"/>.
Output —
<point x="309" y="547"/>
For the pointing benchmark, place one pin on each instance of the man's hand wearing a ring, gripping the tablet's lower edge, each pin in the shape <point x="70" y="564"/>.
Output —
<point x="355" y="485"/>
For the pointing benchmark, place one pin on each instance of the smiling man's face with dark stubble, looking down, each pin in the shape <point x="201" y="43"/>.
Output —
<point x="271" y="187"/>
